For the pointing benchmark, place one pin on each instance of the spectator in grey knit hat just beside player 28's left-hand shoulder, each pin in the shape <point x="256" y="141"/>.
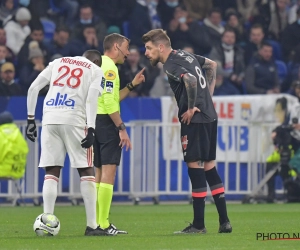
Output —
<point x="34" y="66"/>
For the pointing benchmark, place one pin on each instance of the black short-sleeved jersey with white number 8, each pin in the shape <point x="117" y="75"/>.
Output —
<point x="178" y="63"/>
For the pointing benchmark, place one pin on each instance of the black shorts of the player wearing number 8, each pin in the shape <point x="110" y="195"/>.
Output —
<point x="199" y="141"/>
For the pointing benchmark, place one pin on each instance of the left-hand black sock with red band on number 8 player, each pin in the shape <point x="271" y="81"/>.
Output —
<point x="199" y="190"/>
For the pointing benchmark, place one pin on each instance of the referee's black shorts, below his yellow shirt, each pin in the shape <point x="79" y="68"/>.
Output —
<point x="106" y="146"/>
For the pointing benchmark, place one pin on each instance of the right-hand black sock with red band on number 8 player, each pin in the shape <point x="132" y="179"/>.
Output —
<point x="217" y="189"/>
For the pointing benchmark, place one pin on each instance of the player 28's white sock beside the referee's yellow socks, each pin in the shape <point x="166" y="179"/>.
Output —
<point x="89" y="195"/>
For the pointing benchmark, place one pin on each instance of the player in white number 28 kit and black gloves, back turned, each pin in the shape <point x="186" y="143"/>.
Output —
<point x="69" y="115"/>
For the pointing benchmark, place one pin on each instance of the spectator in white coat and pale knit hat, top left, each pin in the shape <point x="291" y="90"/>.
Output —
<point x="17" y="30"/>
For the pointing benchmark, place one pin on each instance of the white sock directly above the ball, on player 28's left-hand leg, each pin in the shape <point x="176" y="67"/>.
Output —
<point x="49" y="193"/>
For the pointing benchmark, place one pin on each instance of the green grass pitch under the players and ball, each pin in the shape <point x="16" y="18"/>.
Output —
<point x="152" y="226"/>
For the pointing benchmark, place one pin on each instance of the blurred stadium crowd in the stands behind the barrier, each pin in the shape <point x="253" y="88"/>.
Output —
<point x="255" y="43"/>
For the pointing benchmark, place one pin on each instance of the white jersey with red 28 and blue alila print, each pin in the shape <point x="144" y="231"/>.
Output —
<point x="70" y="79"/>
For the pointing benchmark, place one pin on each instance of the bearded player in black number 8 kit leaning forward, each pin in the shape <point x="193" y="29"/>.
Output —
<point x="198" y="122"/>
